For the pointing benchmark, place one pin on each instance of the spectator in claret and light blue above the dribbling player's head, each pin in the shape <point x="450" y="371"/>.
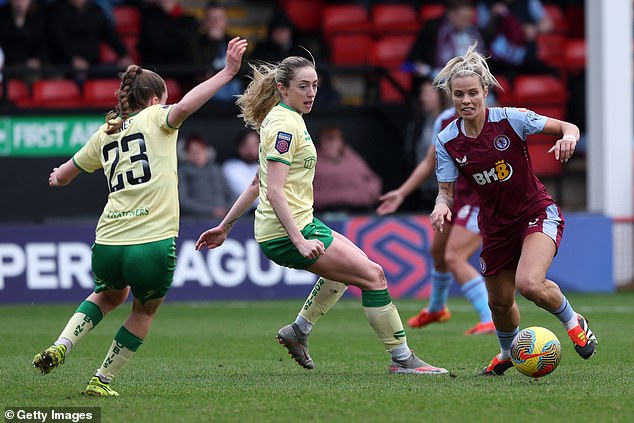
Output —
<point x="510" y="29"/>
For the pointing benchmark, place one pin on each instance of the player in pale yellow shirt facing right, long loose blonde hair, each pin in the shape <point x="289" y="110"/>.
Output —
<point x="285" y="228"/>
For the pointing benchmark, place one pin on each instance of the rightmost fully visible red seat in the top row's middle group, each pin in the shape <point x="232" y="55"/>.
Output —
<point x="394" y="19"/>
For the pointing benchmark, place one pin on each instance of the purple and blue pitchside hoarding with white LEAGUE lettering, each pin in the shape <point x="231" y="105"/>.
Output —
<point x="51" y="263"/>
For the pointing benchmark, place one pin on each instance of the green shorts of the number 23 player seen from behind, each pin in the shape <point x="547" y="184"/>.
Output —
<point x="148" y="268"/>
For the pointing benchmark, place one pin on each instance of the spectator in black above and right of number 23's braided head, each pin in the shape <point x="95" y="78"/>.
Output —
<point x="166" y="34"/>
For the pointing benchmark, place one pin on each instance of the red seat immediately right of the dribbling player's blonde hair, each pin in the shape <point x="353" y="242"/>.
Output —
<point x="532" y="90"/>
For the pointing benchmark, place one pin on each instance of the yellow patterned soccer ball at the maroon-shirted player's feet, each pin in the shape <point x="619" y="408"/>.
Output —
<point x="535" y="351"/>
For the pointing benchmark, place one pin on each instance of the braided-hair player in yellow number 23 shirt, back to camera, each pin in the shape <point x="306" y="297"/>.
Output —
<point x="134" y="248"/>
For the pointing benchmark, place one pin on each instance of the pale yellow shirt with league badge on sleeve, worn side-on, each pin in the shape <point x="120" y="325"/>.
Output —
<point x="284" y="138"/>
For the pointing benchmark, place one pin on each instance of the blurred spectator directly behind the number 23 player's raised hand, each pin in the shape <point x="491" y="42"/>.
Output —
<point x="209" y="49"/>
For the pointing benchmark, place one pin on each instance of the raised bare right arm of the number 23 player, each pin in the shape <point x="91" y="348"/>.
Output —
<point x="202" y="92"/>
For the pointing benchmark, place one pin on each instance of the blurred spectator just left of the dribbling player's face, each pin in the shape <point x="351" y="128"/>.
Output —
<point x="418" y="137"/>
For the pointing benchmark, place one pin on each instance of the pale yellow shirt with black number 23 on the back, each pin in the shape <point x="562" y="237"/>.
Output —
<point x="140" y="166"/>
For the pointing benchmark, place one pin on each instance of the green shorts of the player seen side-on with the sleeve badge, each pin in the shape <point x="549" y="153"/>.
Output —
<point x="283" y="252"/>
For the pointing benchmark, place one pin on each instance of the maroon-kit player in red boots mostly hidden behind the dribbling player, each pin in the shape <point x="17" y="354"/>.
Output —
<point x="450" y="249"/>
